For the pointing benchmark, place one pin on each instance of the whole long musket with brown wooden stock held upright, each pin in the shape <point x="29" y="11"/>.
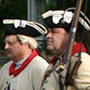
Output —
<point x="69" y="47"/>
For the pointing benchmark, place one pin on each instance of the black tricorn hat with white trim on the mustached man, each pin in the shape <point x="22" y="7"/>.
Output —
<point x="24" y="27"/>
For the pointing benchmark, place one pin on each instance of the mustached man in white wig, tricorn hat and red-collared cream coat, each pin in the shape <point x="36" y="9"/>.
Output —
<point x="25" y="71"/>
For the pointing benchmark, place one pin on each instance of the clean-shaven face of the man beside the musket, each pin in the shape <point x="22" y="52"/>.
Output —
<point x="57" y="40"/>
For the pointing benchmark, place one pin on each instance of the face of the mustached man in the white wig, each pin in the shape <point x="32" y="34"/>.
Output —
<point x="14" y="49"/>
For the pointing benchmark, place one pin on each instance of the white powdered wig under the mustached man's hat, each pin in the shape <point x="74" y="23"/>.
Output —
<point x="24" y="39"/>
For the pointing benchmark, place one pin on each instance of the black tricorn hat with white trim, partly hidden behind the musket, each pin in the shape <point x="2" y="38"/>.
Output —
<point x="63" y="18"/>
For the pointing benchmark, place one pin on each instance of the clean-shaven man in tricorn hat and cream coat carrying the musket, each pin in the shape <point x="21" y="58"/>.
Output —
<point x="59" y="23"/>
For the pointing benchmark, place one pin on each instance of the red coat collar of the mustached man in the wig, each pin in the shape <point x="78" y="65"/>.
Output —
<point x="25" y="63"/>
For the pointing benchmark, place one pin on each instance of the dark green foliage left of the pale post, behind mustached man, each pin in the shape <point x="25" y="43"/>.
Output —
<point x="11" y="9"/>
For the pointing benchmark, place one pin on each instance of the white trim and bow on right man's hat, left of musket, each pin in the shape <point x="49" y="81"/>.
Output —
<point x="58" y="15"/>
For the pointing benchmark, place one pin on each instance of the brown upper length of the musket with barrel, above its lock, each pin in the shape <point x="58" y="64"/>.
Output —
<point x="73" y="30"/>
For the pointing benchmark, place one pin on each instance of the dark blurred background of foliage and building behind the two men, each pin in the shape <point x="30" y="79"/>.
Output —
<point x="32" y="10"/>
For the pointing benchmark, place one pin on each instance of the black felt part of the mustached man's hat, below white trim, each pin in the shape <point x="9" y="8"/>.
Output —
<point x="29" y="31"/>
